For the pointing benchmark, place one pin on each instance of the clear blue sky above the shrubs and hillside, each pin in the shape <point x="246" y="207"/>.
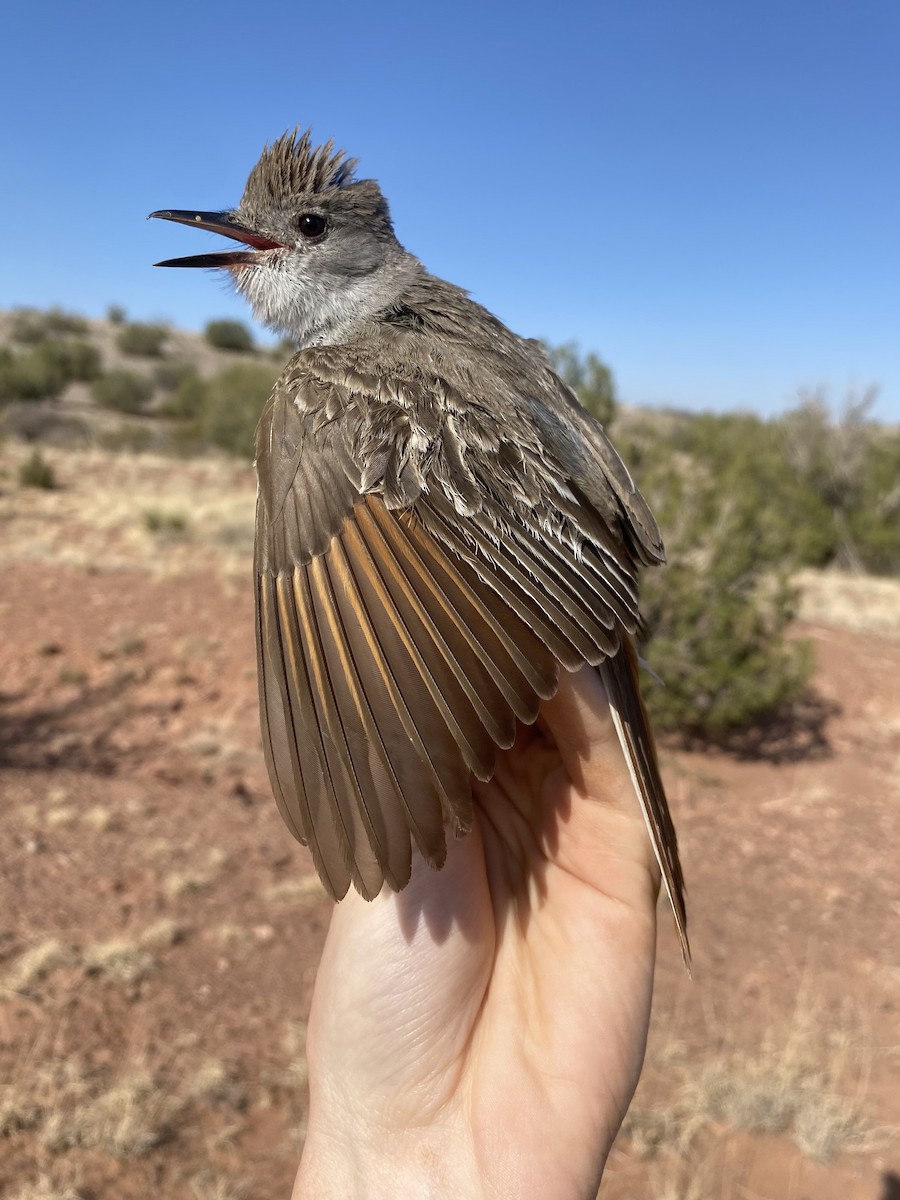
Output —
<point x="706" y="194"/>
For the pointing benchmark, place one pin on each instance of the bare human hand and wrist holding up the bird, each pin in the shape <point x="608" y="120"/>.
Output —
<point x="482" y="1034"/>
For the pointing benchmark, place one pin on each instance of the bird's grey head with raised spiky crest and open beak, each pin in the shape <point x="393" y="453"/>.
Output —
<point x="320" y="249"/>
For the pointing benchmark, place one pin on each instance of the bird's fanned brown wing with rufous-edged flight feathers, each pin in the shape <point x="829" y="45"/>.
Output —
<point x="419" y="581"/>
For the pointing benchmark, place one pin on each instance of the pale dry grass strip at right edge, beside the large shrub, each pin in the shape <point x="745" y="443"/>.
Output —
<point x="863" y="604"/>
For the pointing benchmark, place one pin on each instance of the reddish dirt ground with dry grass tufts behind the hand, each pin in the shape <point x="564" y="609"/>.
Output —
<point x="160" y="931"/>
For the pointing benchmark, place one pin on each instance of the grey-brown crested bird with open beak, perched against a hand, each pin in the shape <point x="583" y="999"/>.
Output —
<point x="442" y="530"/>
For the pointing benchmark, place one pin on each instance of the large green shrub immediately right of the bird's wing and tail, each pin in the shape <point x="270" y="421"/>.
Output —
<point x="717" y="619"/>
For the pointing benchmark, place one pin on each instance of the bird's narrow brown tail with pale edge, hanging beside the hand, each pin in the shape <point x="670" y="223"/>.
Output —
<point x="633" y="725"/>
